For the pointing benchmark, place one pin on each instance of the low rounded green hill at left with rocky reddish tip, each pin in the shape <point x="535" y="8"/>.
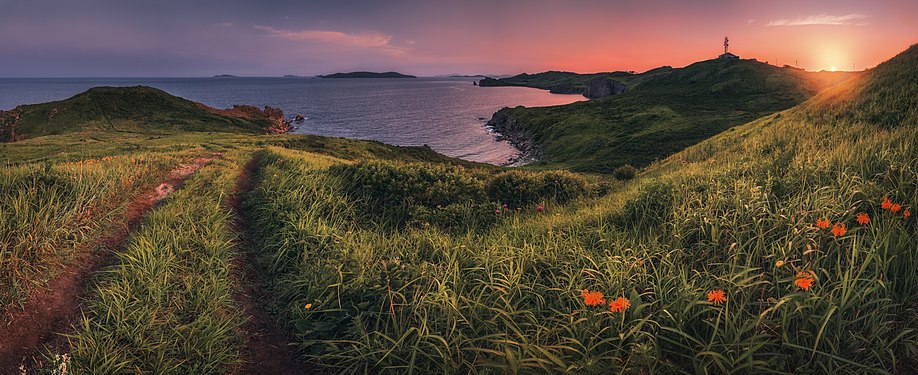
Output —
<point x="130" y="110"/>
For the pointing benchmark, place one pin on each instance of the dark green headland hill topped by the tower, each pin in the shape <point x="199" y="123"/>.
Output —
<point x="666" y="113"/>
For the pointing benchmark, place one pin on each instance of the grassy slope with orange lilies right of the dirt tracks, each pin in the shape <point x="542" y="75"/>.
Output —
<point x="736" y="213"/>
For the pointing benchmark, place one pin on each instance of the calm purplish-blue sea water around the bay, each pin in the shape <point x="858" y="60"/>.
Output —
<point x="447" y="114"/>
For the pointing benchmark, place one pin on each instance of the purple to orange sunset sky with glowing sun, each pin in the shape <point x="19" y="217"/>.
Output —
<point x="190" y="38"/>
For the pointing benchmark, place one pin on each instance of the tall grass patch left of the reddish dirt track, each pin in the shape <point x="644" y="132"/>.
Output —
<point x="49" y="209"/>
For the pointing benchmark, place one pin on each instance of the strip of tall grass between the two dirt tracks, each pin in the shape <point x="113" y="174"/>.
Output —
<point x="167" y="306"/>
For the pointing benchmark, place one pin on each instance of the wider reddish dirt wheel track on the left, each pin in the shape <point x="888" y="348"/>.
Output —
<point x="58" y="306"/>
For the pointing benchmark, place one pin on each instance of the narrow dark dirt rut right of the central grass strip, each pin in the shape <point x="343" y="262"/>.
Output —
<point x="266" y="350"/>
